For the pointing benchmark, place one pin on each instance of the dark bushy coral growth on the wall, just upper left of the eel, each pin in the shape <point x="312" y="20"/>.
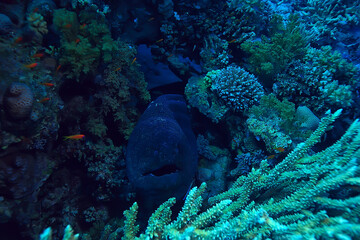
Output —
<point x="121" y="91"/>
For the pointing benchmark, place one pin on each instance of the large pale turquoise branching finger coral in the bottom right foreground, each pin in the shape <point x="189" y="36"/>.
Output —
<point x="282" y="204"/>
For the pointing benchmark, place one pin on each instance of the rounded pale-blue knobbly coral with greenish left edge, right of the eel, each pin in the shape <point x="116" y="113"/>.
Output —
<point x="230" y="88"/>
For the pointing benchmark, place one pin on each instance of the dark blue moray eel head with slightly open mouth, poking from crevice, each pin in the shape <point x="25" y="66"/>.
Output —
<point x="161" y="156"/>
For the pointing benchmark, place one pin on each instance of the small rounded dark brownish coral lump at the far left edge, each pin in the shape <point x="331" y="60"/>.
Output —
<point x="18" y="101"/>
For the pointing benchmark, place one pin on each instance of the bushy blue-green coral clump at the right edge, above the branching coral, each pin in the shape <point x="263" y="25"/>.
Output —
<point x="317" y="84"/>
